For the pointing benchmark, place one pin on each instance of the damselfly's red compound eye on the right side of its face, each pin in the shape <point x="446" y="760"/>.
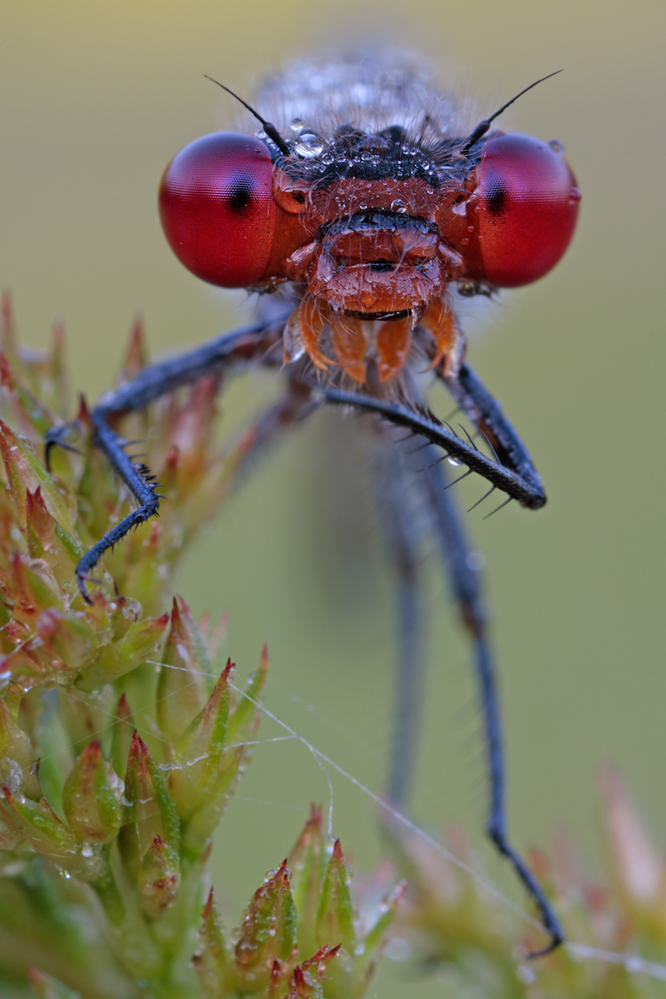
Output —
<point x="528" y="204"/>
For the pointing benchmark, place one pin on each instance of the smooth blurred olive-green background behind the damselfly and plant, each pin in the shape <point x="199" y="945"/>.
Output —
<point x="94" y="100"/>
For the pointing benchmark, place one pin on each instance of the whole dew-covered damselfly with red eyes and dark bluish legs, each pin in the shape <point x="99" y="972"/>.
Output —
<point x="360" y="213"/>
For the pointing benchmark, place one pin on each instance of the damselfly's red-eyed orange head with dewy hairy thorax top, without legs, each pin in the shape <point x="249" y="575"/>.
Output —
<point x="369" y="198"/>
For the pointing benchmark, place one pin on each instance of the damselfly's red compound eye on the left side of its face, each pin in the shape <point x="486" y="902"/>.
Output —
<point x="217" y="209"/>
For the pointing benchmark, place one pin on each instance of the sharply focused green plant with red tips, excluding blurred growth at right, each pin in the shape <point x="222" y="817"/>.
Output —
<point x="122" y="737"/>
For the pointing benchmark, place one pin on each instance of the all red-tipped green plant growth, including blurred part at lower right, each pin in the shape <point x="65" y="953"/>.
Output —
<point x="124" y="733"/>
